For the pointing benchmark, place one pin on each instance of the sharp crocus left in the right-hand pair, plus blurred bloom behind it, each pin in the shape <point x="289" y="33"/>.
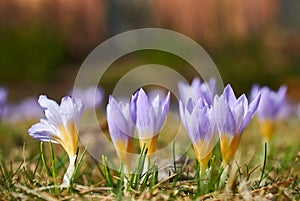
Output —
<point x="196" y="112"/>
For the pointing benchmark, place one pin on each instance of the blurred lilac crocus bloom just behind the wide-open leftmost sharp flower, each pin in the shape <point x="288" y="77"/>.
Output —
<point x="91" y="97"/>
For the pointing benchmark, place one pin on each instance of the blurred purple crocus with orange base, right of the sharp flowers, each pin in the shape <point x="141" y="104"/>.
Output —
<point x="272" y="106"/>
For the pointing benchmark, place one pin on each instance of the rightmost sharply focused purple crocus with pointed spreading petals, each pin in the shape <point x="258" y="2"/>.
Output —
<point x="232" y="115"/>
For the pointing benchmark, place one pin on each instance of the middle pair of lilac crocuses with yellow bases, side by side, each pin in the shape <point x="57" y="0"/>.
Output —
<point x="140" y="113"/>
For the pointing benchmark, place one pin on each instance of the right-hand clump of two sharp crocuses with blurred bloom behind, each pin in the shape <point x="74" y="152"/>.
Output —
<point x="203" y="113"/>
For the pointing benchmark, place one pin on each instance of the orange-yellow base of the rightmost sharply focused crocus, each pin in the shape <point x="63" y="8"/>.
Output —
<point x="229" y="146"/>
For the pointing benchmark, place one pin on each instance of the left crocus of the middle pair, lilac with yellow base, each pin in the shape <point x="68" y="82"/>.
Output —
<point x="121" y="117"/>
